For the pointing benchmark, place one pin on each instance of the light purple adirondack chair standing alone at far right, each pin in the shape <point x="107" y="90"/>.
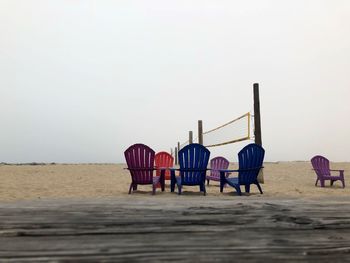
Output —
<point x="321" y="166"/>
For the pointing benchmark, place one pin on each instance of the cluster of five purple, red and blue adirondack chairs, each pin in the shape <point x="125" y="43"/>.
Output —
<point x="193" y="159"/>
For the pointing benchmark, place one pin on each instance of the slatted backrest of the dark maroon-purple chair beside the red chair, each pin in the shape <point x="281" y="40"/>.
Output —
<point x="140" y="156"/>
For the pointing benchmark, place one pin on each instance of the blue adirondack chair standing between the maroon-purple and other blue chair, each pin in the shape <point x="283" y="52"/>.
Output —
<point x="193" y="160"/>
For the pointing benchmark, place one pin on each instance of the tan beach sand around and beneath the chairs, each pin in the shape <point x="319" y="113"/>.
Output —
<point x="32" y="182"/>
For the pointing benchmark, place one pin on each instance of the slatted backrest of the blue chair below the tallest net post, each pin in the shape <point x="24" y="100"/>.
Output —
<point x="251" y="156"/>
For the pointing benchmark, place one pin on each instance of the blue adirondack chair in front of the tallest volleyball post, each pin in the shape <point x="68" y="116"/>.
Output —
<point x="250" y="160"/>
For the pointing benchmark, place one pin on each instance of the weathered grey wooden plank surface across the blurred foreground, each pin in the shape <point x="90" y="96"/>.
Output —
<point x="186" y="229"/>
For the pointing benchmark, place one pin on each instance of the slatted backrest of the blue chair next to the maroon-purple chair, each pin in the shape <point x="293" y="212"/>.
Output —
<point x="193" y="157"/>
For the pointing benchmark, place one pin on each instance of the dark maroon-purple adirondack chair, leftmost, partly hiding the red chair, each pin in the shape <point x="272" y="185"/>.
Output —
<point x="140" y="161"/>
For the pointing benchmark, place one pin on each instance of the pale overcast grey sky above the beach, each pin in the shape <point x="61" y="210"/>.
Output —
<point x="82" y="80"/>
